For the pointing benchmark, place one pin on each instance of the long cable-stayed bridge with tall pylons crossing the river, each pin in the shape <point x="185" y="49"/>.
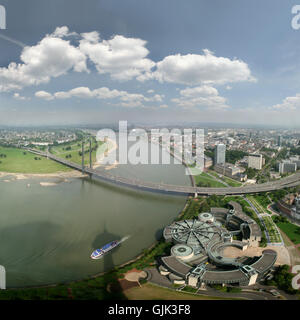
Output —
<point x="291" y="181"/>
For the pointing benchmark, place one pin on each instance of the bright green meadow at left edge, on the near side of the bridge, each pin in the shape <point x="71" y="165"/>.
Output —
<point x="19" y="161"/>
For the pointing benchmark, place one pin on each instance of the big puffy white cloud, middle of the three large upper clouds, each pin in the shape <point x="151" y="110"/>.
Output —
<point x="123" y="58"/>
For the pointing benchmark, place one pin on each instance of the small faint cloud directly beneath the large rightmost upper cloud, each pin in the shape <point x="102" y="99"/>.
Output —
<point x="202" y="96"/>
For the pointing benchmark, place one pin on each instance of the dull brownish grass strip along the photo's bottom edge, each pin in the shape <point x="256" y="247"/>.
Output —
<point x="152" y="292"/>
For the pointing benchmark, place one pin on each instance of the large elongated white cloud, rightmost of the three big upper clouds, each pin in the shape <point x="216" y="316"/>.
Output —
<point x="196" y="69"/>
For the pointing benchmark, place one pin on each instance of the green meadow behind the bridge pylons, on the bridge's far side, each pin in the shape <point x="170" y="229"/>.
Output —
<point x="73" y="149"/>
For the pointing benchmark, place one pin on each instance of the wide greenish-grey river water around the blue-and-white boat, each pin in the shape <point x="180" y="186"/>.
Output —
<point x="47" y="233"/>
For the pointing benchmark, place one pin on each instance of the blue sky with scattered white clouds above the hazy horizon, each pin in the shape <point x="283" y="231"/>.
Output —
<point x="149" y="61"/>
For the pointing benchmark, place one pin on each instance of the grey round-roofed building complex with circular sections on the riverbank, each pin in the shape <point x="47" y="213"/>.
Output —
<point x="197" y="256"/>
